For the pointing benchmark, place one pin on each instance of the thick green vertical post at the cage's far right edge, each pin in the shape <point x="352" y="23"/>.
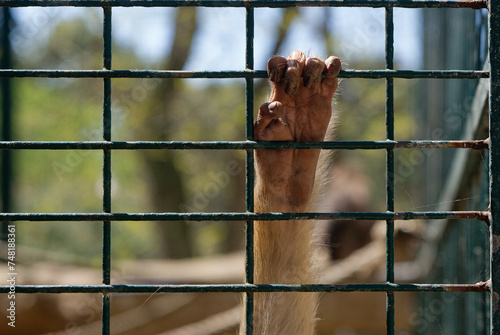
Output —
<point x="494" y="101"/>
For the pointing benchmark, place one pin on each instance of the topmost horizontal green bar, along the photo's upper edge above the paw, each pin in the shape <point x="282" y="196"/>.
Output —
<point x="250" y="3"/>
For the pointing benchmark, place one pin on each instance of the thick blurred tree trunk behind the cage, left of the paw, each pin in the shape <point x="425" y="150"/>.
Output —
<point x="164" y="178"/>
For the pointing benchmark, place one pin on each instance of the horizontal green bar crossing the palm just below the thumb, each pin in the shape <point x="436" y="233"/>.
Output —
<point x="237" y="145"/>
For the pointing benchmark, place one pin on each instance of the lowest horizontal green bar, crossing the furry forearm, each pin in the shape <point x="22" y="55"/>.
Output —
<point x="382" y="287"/>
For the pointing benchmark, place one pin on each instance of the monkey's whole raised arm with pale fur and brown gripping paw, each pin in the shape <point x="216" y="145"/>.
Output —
<point x="287" y="181"/>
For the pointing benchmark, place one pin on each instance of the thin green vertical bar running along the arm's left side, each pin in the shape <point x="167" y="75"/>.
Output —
<point x="250" y="172"/>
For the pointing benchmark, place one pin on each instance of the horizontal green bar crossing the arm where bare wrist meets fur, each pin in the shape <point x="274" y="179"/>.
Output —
<point x="478" y="215"/>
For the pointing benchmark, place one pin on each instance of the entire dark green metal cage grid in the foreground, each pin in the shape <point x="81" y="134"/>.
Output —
<point x="390" y="145"/>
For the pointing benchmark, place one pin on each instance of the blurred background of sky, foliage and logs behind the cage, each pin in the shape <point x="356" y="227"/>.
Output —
<point x="66" y="181"/>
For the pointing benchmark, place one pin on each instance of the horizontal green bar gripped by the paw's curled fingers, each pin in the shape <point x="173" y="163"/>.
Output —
<point x="248" y="73"/>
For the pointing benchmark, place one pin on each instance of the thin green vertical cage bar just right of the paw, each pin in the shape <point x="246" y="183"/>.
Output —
<point x="389" y="113"/>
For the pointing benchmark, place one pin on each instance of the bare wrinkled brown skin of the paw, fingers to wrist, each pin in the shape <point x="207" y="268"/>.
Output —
<point x="299" y="110"/>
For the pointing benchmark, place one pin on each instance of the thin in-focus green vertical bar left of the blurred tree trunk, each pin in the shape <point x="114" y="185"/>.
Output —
<point x="106" y="200"/>
